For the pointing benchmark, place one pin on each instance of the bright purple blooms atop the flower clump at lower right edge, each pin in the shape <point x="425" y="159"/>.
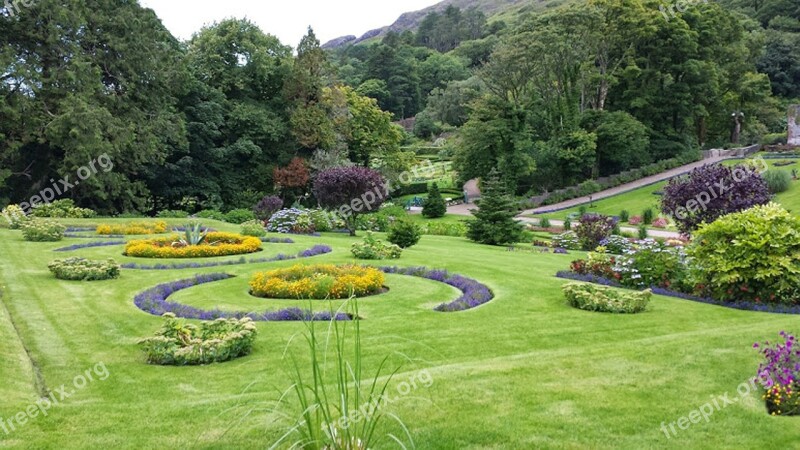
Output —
<point x="782" y="363"/>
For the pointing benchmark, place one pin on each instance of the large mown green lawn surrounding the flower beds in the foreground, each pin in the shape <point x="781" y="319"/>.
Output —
<point x="523" y="371"/>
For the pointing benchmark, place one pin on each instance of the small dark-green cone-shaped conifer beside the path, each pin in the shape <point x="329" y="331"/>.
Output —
<point x="495" y="222"/>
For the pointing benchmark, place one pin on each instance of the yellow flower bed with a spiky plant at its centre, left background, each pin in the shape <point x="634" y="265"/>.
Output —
<point x="216" y="244"/>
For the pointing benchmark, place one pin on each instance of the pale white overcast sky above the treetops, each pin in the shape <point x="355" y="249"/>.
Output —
<point x="287" y="20"/>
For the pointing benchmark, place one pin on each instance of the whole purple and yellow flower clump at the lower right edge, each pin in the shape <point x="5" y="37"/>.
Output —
<point x="779" y="375"/>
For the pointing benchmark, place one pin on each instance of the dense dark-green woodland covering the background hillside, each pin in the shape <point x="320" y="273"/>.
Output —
<point x="550" y="99"/>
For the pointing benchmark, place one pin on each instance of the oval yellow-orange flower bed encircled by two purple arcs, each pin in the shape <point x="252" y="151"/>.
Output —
<point x="321" y="281"/>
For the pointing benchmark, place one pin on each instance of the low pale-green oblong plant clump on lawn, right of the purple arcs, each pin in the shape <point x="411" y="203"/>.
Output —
<point x="590" y="297"/>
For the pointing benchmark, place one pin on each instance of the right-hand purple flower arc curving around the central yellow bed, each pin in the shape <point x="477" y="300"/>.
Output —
<point x="473" y="293"/>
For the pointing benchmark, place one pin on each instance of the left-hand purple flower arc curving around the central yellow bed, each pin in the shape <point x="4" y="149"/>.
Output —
<point x="154" y="301"/>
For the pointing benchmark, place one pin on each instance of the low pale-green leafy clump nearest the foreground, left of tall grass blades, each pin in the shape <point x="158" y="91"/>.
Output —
<point x="179" y="343"/>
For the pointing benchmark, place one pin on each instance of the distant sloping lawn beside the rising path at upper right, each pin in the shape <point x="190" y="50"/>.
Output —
<point x="637" y="200"/>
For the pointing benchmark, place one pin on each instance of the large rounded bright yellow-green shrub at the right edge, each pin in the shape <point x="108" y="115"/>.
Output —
<point x="753" y="255"/>
